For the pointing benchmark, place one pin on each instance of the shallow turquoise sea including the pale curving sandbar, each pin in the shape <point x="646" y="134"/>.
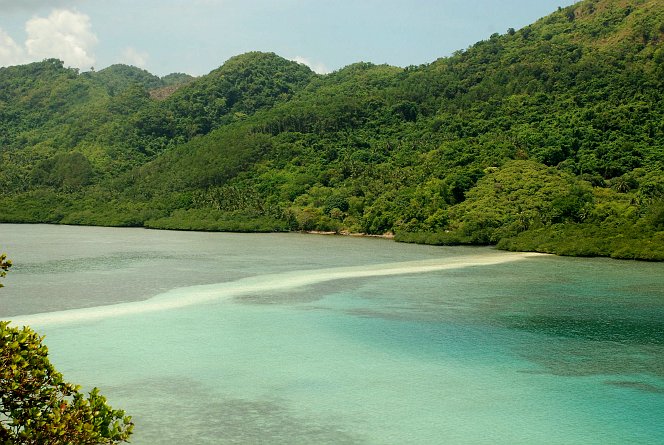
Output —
<point x="302" y="339"/>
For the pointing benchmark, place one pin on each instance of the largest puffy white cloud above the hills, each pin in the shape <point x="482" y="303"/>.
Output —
<point x="64" y="34"/>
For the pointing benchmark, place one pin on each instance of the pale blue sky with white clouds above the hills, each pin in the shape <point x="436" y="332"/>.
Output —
<point x="197" y="36"/>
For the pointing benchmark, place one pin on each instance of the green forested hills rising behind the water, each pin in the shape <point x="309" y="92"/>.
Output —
<point x="547" y="138"/>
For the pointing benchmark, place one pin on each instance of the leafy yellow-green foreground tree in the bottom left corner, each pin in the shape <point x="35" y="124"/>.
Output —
<point x="38" y="407"/>
